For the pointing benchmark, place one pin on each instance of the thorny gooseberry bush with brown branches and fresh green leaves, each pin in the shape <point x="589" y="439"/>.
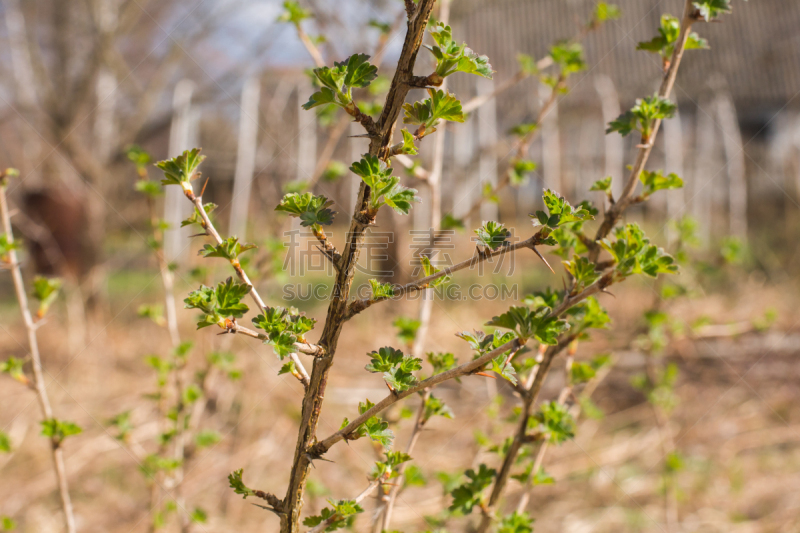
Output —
<point x="521" y="345"/>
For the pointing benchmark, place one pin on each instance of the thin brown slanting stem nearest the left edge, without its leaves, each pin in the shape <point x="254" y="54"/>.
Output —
<point x="36" y="361"/>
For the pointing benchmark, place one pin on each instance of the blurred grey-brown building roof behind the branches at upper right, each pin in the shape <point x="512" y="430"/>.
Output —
<point x="755" y="51"/>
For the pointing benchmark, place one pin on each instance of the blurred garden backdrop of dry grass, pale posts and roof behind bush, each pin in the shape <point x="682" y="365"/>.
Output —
<point x="80" y="82"/>
